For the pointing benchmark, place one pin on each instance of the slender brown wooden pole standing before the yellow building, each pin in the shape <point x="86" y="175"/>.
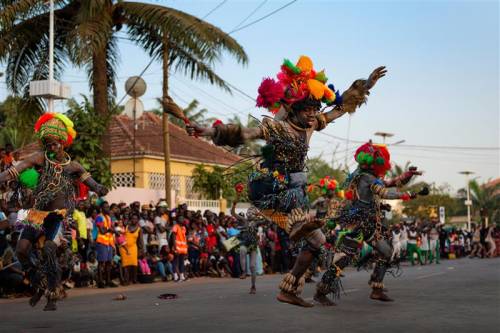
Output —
<point x="166" y="138"/>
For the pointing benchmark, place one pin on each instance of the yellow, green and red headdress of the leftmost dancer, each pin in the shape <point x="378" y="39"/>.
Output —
<point x="56" y="126"/>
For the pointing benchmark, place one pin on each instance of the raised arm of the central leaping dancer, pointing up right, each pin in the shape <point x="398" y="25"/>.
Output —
<point x="356" y="95"/>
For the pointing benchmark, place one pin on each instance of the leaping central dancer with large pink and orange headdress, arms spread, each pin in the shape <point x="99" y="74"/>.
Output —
<point x="278" y="185"/>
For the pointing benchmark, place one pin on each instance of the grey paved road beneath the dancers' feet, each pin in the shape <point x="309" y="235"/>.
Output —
<point x="455" y="296"/>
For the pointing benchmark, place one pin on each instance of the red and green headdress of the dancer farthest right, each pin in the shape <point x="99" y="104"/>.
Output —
<point x="374" y="157"/>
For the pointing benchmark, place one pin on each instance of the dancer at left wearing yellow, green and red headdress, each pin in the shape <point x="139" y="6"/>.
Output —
<point x="52" y="176"/>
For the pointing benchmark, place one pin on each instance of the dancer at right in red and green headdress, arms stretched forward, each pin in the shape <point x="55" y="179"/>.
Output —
<point x="363" y="217"/>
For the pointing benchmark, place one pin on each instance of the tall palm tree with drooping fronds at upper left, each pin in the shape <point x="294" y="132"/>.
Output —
<point x="86" y="34"/>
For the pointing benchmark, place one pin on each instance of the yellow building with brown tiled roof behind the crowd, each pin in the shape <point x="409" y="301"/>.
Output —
<point x="146" y="182"/>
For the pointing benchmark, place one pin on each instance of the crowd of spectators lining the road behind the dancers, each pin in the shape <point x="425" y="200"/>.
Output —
<point x="114" y="244"/>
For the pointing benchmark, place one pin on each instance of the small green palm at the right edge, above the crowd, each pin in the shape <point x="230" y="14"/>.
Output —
<point x="486" y="199"/>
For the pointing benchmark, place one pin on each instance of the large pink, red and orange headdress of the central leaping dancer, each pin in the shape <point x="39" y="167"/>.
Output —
<point x="295" y="83"/>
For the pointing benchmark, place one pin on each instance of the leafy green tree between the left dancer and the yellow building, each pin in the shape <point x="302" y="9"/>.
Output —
<point x="86" y="149"/>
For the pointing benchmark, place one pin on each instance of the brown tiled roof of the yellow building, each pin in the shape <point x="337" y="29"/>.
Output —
<point x="149" y="141"/>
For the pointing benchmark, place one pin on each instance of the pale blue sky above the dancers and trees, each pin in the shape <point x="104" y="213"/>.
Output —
<point x="442" y="87"/>
